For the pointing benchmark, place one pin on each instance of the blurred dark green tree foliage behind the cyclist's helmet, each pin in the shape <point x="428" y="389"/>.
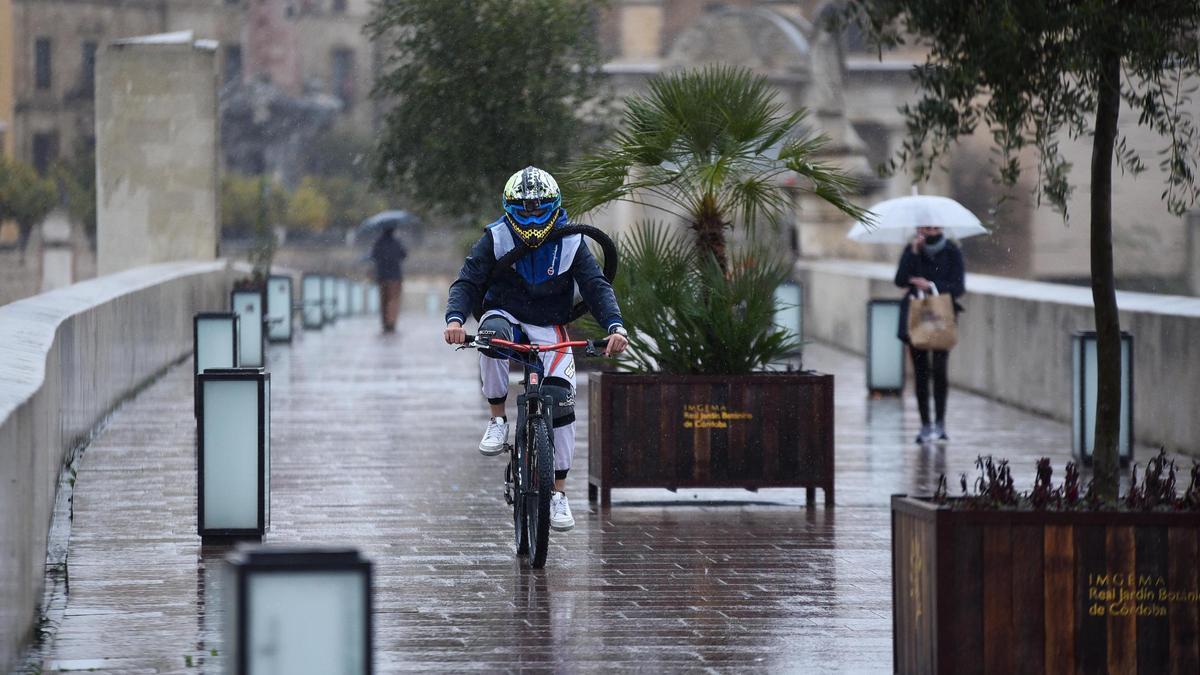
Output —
<point x="475" y="91"/>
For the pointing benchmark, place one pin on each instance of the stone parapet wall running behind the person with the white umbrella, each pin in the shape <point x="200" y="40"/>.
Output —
<point x="1015" y="343"/>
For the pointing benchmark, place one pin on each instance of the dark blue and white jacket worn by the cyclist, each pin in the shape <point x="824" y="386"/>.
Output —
<point x="539" y="289"/>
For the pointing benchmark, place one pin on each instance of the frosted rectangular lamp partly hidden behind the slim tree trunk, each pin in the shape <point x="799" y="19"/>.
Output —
<point x="1084" y="374"/>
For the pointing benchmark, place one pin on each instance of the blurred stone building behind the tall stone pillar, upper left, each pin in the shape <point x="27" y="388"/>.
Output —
<point x="321" y="47"/>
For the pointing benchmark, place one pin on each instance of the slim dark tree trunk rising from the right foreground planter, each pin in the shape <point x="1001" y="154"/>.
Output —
<point x="1105" y="297"/>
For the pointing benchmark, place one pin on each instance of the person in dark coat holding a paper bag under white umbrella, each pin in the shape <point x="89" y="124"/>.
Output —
<point x="931" y="261"/>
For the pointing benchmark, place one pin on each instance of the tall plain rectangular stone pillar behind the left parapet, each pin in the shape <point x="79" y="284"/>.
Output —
<point x="158" y="141"/>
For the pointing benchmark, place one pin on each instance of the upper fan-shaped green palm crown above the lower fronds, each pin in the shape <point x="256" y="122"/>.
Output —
<point x="711" y="146"/>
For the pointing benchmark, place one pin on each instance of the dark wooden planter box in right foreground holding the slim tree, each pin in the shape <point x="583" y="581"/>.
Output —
<point x="1043" y="592"/>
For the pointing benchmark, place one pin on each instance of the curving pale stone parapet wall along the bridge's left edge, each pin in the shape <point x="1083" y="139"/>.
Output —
<point x="68" y="359"/>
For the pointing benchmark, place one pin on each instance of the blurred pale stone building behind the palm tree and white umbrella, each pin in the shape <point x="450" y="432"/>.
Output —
<point x="855" y="97"/>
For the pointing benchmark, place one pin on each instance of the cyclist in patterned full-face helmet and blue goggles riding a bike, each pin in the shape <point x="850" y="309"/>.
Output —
<point x="532" y="302"/>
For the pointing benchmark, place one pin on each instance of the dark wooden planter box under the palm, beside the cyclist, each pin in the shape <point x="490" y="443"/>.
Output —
<point x="760" y="431"/>
